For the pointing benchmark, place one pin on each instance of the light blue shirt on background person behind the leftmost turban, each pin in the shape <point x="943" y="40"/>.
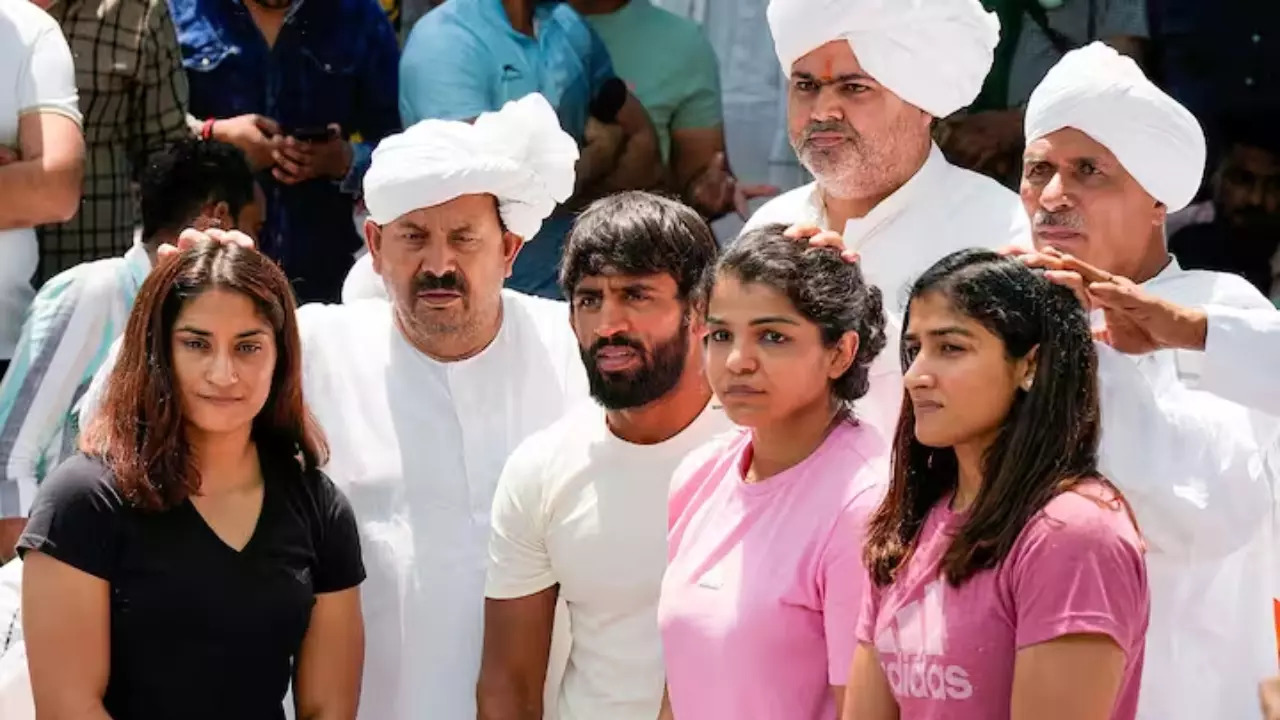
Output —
<point x="465" y="58"/>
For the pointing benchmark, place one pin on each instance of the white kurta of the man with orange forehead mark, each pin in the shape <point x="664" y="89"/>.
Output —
<point x="940" y="211"/>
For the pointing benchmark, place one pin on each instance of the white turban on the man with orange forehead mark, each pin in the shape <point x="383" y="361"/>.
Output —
<point x="934" y="54"/>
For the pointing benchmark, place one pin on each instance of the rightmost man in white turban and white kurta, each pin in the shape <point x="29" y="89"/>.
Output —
<point x="1109" y="157"/>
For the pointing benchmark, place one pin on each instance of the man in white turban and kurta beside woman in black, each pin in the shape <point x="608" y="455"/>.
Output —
<point x="424" y="398"/>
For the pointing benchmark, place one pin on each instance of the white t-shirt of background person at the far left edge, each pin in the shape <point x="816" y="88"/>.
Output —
<point x="36" y="76"/>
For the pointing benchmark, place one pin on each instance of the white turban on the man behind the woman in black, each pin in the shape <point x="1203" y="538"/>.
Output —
<point x="519" y="154"/>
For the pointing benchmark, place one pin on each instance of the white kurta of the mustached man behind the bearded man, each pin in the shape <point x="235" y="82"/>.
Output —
<point x="418" y="448"/>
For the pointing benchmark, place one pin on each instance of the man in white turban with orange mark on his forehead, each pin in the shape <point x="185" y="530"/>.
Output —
<point x="867" y="81"/>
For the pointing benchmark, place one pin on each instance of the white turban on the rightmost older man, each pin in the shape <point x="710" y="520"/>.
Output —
<point x="1108" y="98"/>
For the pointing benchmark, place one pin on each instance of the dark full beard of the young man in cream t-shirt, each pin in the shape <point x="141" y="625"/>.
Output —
<point x="659" y="373"/>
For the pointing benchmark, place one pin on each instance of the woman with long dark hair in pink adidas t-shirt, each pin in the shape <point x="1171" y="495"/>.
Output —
<point x="1007" y="577"/>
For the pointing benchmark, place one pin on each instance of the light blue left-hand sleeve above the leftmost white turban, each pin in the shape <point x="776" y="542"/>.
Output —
<point x="444" y="75"/>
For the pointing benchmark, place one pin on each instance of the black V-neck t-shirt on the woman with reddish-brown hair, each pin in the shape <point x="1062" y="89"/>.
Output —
<point x="199" y="630"/>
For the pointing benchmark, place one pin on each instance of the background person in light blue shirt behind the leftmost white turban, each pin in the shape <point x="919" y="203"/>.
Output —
<point x="470" y="57"/>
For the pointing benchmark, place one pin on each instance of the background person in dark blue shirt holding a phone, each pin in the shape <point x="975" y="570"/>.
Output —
<point x="290" y="84"/>
